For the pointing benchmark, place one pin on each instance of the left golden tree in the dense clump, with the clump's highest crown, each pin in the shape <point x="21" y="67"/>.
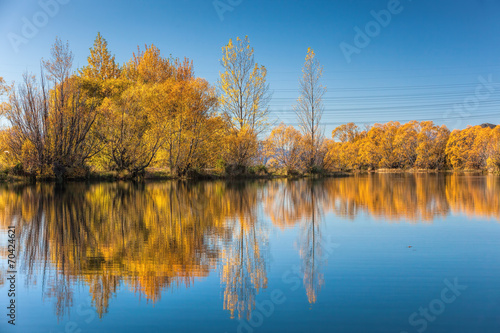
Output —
<point x="134" y="132"/>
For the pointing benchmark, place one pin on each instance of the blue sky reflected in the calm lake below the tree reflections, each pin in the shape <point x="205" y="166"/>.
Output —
<point x="373" y="282"/>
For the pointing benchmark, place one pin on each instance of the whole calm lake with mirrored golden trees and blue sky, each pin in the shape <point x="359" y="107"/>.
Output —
<point x="368" y="253"/>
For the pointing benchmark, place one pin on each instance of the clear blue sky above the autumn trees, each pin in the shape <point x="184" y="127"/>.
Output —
<point x="430" y="60"/>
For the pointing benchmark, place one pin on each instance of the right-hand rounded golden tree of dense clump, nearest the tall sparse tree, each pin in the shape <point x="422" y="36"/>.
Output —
<point x="189" y="119"/>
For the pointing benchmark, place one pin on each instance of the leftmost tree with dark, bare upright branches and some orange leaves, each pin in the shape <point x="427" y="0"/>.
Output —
<point x="51" y="123"/>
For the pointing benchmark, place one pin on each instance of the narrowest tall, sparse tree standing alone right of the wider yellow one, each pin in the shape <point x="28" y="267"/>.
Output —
<point x="309" y="108"/>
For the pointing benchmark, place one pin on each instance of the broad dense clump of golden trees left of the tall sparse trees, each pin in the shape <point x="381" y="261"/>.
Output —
<point x="164" y="117"/>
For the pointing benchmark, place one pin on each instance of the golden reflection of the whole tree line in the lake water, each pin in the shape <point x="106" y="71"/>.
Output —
<point x="161" y="236"/>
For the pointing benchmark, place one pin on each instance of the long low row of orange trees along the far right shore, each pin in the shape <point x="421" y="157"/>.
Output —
<point x="421" y="145"/>
